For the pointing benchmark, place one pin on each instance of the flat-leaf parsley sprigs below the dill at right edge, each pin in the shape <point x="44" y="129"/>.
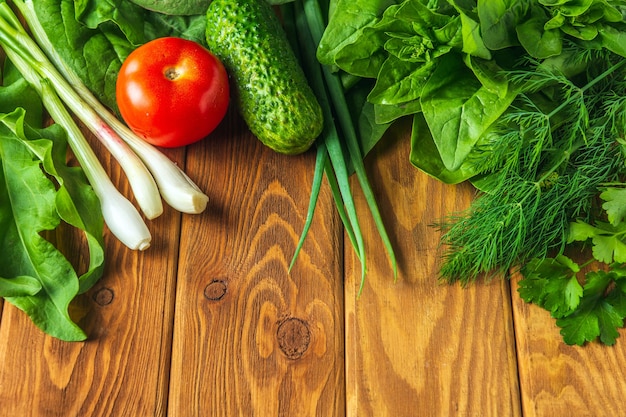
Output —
<point x="596" y="308"/>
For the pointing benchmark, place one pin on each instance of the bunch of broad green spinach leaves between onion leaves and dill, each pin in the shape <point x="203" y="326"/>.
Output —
<point x="427" y="57"/>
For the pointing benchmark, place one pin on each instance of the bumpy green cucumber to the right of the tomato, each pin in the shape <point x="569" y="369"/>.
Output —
<point x="269" y="86"/>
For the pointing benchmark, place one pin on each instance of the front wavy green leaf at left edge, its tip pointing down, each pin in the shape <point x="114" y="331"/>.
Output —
<point x="28" y="208"/>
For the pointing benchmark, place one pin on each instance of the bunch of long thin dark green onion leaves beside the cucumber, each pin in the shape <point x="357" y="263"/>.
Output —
<point x="331" y="154"/>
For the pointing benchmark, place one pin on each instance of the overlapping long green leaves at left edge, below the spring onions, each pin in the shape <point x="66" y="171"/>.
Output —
<point x="38" y="191"/>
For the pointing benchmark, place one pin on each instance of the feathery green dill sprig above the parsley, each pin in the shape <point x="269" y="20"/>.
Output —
<point x="546" y="159"/>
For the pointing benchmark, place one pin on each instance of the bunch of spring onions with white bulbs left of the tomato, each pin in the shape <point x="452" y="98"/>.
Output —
<point x="151" y="174"/>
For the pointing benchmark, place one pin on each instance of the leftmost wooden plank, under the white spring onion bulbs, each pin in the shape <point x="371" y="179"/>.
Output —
<point x="123" y="369"/>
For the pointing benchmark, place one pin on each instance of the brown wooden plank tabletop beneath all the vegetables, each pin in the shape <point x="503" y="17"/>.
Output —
<point x="208" y="321"/>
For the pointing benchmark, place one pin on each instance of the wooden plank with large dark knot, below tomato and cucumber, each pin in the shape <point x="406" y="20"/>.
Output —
<point x="251" y="338"/>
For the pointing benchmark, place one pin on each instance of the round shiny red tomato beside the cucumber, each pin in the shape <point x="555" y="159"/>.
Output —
<point x="172" y="92"/>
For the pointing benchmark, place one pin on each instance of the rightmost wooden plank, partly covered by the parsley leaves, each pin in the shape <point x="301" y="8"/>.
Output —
<point x="562" y="380"/>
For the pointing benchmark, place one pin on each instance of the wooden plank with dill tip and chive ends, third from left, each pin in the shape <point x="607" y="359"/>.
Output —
<point x="418" y="347"/>
